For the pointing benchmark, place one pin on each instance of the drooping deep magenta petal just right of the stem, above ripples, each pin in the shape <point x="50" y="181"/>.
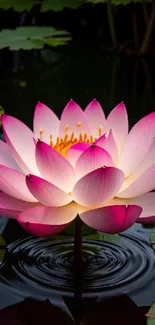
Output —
<point x="112" y="219"/>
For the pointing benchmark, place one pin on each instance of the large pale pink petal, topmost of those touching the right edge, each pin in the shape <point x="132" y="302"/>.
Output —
<point x="138" y="144"/>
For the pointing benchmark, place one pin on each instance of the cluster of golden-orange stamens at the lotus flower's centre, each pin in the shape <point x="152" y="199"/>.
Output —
<point x="63" y="144"/>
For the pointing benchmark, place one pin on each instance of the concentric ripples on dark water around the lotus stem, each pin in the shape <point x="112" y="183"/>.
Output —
<point x="108" y="267"/>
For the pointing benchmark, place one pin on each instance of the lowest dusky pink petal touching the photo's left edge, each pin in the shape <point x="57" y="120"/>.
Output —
<point x="12" y="207"/>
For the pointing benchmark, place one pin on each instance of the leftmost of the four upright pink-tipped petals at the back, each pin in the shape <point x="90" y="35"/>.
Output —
<point x="45" y="119"/>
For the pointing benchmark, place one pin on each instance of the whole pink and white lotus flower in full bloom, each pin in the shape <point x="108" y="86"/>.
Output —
<point x="83" y="164"/>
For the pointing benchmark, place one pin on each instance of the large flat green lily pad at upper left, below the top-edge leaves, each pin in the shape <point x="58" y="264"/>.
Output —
<point x="33" y="37"/>
